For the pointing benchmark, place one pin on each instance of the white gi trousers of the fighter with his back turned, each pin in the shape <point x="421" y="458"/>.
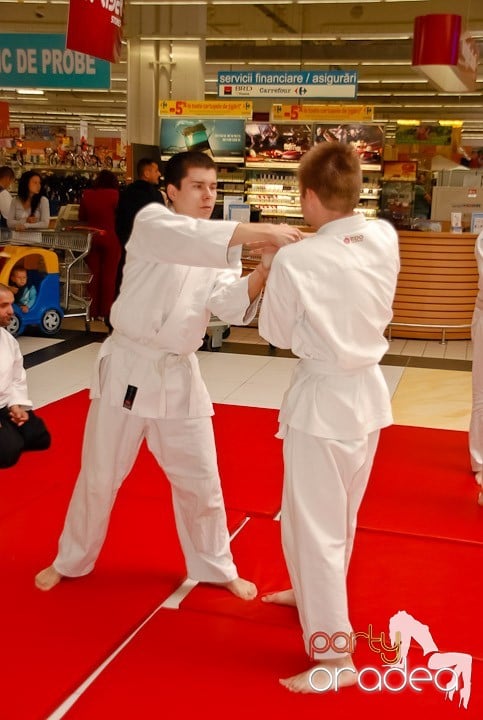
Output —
<point x="324" y="483"/>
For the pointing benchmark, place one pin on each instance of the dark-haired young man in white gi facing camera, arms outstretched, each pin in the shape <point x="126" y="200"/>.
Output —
<point x="148" y="384"/>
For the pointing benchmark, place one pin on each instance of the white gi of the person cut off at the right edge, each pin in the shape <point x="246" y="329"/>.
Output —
<point x="476" y="422"/>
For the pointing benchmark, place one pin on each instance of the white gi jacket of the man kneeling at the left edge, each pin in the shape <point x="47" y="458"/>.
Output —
<point x="13" y="379"/>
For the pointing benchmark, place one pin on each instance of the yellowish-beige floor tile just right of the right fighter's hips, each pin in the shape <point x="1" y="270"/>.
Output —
<point x="433" y="398"/>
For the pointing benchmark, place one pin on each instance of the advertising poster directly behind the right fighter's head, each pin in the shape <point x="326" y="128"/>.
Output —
<point x="367" y="139"/>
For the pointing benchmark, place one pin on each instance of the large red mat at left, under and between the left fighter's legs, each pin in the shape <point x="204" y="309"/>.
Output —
<point x="54" y="640"/>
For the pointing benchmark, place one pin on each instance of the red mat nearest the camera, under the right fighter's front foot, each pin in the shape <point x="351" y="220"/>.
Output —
<point x="182" y="665"/>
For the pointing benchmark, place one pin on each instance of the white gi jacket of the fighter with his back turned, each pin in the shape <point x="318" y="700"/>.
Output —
<point x="329" y="298"/>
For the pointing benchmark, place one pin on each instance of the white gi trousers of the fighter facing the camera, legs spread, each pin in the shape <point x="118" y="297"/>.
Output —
<point x="185" y="449"/>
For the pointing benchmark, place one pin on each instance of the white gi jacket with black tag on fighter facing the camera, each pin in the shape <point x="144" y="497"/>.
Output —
<point x="161" y="314"/>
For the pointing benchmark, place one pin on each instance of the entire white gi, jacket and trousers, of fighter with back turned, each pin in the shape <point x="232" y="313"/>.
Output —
<point x="329" y="298"/>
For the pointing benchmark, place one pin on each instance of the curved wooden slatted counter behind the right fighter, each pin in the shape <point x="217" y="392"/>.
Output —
<point x="437" y="286"/>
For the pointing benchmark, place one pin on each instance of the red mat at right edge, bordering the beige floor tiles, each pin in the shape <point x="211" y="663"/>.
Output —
<point x="421" y="483"/>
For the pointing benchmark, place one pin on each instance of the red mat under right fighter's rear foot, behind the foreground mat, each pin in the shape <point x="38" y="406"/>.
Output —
<point x="388" y="573"/>
